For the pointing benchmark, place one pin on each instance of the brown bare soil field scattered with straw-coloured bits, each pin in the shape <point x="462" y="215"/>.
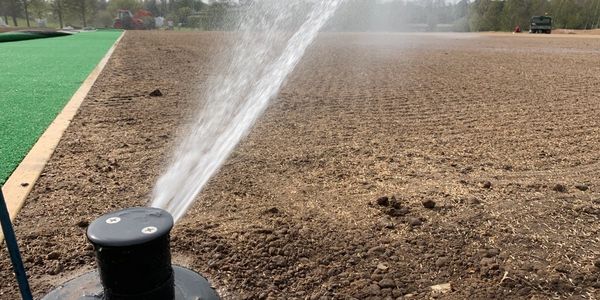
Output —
<point x="388" y="164"/>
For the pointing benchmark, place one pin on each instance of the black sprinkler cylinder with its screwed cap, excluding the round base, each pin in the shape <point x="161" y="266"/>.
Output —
<point x="133" y="254"/>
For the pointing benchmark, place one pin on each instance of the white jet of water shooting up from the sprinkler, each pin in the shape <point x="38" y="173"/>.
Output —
<point x="273" y="36"/>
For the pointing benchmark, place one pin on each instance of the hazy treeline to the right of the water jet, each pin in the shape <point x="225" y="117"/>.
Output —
<point x="477" y="15"/>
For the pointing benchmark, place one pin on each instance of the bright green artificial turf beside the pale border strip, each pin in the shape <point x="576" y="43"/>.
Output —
<point x="37" y="78"/>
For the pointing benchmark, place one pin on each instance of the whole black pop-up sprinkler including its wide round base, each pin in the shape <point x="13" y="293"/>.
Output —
<point x="134" y="261"/>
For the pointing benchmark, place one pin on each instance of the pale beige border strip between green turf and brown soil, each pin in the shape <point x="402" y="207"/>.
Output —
<point x="21" y="181"/>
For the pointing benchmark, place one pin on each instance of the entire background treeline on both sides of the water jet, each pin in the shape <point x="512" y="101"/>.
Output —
<point x="354" y="15"/>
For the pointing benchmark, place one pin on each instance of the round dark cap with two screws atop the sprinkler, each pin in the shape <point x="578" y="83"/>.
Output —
<point x="130" y="227"/>
